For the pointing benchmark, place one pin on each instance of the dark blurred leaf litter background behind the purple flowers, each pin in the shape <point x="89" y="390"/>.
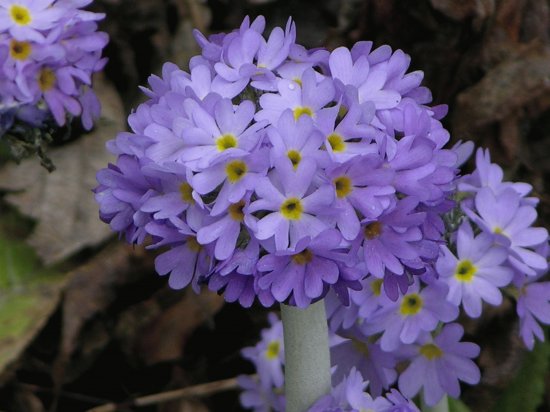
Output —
<point x="84" y="319"/>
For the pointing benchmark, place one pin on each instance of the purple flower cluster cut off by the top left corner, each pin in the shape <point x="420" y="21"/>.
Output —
<point x="49" y="50"/>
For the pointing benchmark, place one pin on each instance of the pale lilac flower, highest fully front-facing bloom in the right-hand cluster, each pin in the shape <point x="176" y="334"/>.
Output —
<point x="477" y="273"/>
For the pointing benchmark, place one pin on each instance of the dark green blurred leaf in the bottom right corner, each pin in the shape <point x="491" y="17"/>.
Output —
<point x="525" y="392"/>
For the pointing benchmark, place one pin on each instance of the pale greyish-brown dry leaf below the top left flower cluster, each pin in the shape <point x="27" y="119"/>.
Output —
<point x="62" y="201"/>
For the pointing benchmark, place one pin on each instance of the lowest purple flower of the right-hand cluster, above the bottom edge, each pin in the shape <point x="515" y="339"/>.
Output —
<point x="439" y="364"/>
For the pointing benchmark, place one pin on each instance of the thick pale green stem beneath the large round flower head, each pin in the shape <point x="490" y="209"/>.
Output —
<point x="307" y="356"/>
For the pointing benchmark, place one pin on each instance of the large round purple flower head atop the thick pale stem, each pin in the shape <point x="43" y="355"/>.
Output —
<point x="275" y="172"/>
